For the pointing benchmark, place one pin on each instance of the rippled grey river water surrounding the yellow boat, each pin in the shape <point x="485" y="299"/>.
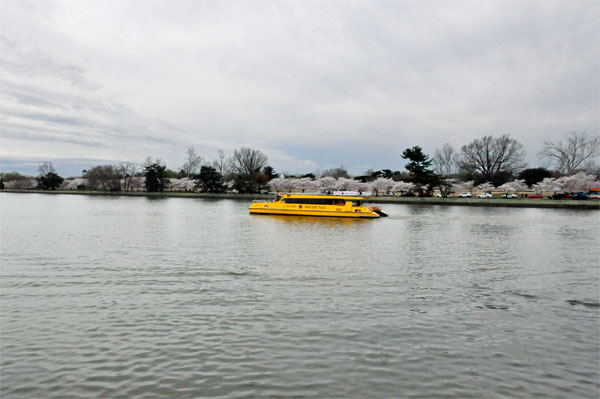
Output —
<point x="135" y="297"/>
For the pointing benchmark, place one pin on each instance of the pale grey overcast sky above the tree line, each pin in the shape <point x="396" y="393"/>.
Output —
<point x="312" y="84"/>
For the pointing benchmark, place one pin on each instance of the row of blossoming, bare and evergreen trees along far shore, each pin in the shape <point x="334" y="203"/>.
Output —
<point x="489" y="161"/>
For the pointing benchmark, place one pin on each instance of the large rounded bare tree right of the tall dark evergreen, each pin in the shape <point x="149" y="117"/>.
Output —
<point x="492" y="156"/>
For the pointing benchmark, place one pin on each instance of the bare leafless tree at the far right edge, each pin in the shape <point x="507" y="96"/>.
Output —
<point x="577" y="148"/>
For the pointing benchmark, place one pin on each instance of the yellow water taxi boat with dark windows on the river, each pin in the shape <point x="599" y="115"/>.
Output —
<point x="338" y="204"/>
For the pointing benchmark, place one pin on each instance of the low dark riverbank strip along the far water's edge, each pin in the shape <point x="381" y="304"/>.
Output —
<point x="492" y="202"/>
